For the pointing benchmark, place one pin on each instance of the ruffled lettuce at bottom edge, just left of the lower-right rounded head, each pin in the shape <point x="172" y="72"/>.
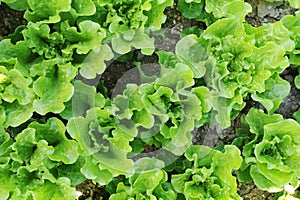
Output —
<point x="210" y="176"/>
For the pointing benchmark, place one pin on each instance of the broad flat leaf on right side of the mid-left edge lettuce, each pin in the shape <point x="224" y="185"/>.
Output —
<point x="52" y="75"/>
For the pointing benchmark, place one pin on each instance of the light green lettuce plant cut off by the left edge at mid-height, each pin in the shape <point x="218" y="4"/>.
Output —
<point x="41" y="86"/>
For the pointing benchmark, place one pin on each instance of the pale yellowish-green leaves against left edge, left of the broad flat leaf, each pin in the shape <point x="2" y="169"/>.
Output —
<point x="16" y="93"/>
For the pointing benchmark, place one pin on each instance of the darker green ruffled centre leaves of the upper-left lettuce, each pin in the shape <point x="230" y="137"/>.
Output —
<point x="64" y="40"/>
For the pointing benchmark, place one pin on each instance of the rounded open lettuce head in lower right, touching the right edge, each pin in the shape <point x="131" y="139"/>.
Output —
<point x="270" y="146"/>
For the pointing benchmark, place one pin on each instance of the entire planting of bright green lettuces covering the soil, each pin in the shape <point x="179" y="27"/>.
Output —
<point x="207" y="80"/>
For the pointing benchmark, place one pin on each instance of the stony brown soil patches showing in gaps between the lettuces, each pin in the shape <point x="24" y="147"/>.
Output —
<point x="212" y="136"/>
